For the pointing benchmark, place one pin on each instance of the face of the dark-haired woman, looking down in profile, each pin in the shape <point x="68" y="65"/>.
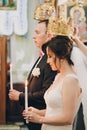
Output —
<point x="51" y="60"/>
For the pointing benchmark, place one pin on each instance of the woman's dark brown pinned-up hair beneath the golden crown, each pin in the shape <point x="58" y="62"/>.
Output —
<point x="62" y="47"/>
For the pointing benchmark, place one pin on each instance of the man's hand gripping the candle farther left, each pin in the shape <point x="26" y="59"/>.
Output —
<point x="14" y="94"/>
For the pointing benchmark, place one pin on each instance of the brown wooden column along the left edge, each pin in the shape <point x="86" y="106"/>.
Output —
<point x="3" y="70"/>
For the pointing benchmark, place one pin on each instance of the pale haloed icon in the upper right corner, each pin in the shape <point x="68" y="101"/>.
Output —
<point x="80" y="21"/>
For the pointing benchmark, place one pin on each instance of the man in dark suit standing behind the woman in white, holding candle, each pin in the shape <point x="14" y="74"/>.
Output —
<point x="37" y="85"/>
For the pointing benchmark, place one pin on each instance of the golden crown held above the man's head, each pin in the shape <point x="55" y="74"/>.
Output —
<point x="44" y="11"/>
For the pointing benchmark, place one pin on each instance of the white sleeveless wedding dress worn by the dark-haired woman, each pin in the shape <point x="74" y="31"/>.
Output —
<point x="54" y="102"/>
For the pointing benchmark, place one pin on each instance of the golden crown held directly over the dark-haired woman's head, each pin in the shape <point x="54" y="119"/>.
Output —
<point x="58" y="26"/>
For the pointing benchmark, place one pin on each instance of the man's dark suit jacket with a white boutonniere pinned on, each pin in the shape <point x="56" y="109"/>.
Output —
<point x="37" y="87"/>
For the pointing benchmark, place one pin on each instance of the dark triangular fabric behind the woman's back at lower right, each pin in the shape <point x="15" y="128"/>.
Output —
<point x="79" y="121"/>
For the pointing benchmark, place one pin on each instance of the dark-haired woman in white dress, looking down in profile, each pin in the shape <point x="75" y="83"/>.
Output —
<point x="63" y="97"/>
